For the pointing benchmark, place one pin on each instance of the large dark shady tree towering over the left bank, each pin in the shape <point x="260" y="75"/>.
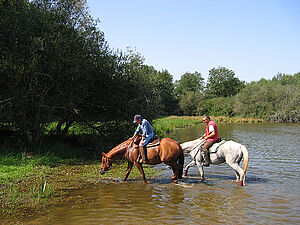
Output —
<point x="52" y="53"/>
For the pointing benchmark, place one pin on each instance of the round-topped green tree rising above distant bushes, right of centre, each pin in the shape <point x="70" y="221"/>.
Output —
<point x="222" y="83"/>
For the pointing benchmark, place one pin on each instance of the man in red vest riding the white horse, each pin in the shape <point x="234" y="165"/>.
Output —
<point x="211" y="136"/>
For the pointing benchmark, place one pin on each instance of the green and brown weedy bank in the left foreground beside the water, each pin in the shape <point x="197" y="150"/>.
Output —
<point x="31" y="182"/>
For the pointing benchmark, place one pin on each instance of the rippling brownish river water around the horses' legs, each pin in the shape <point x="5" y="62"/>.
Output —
<point x="271" y="194"/>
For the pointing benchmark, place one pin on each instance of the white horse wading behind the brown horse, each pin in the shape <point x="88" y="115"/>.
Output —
<point x="229" y="152"/>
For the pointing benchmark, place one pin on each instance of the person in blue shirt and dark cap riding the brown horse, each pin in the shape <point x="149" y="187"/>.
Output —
<point x="147" y="133"/>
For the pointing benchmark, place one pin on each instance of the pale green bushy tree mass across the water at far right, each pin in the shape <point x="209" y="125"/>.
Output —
<point x="270" y="99"/>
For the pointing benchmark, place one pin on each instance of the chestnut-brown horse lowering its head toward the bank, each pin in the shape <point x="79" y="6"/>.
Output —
<point x="168" y="151"/>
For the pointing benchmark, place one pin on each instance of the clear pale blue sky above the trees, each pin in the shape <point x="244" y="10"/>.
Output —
<point x="255" y="38"/>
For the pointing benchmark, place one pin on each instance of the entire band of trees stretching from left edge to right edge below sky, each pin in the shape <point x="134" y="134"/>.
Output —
<point x="56" y="66"/>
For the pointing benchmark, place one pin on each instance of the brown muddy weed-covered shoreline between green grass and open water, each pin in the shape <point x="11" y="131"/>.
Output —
<point x="63" y="180"/>
